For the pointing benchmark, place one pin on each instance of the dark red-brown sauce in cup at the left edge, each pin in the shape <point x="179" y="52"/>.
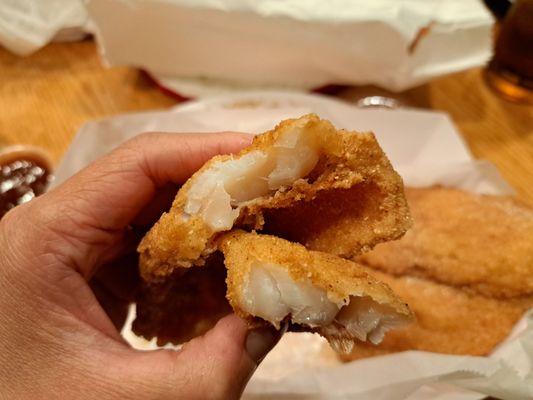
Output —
<point x="20" y="181"/>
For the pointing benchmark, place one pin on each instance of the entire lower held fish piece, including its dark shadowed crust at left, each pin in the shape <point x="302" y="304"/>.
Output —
<point x="273" y="281"/>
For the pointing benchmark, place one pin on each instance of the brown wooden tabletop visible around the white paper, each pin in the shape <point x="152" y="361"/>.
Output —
<point x="46" y="97"/>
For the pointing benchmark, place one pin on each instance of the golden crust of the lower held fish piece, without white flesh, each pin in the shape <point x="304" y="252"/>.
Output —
<point x="340" y="278"/>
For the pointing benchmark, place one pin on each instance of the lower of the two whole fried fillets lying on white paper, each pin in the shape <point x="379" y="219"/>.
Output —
<point x="448" y="320"/>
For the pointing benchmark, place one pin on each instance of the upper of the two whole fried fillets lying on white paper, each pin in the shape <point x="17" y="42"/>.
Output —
<point x="480" y="243"/>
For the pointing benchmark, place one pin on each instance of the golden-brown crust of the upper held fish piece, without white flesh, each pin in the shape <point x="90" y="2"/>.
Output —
<point x="351" y="165"/>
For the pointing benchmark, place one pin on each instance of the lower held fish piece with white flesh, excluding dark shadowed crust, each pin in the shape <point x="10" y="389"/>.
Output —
<point x="272" y="280"/>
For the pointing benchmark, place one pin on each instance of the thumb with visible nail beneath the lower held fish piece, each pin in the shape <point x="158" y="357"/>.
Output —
<point x="217" y="365"/>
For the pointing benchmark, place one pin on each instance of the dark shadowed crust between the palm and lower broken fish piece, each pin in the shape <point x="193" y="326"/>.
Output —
<point x="187" y="304"/>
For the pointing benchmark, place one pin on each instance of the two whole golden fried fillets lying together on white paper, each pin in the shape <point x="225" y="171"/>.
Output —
<point x="465" y="268"/>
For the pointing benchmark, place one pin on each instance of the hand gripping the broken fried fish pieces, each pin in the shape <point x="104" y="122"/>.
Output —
<point x="56" y="340"/>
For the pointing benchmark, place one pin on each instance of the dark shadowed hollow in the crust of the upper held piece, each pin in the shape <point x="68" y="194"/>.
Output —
<point x="343" y="222"/>
